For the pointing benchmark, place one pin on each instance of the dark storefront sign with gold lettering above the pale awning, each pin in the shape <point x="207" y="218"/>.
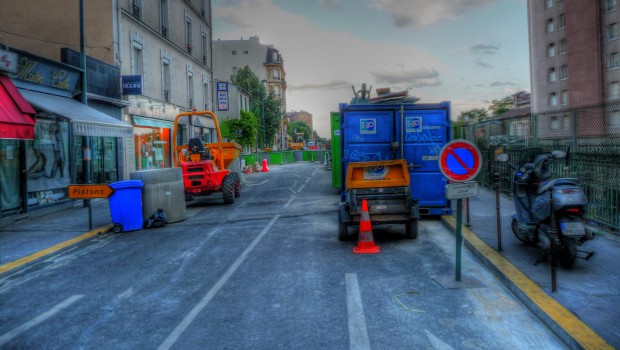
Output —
<point x="40" y="71"/>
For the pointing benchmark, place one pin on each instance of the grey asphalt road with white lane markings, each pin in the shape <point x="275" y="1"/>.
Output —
<point x="266" y="272"/>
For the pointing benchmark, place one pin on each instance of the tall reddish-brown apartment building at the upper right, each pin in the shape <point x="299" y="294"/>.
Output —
<point x="575" y="62"/>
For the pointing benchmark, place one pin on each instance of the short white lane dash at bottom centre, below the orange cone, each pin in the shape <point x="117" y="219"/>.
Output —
<point x="358" y="335"/>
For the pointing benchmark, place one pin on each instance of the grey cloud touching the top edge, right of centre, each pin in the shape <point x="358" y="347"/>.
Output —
<point x="414" y="14"/>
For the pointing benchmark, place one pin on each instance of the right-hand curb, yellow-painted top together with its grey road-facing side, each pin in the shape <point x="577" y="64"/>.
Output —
<point x="564" y="324"/>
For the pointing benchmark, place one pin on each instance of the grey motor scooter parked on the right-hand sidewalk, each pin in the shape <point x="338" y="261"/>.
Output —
<point x="532" y="184"/>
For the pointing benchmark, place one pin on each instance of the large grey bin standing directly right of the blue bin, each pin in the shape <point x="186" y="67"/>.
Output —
<point x="163" y="188"/>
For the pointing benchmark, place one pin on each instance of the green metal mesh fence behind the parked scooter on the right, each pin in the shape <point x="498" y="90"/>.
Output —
<point x="590" y="135"/>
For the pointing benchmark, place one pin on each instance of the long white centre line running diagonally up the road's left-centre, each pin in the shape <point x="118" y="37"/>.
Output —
<point x="189" y="318"/>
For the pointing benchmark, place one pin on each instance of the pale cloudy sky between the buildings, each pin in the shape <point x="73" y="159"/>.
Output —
<point x="468" y="52"/>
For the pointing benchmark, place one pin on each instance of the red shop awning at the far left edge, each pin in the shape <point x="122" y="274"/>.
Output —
<point x="16" y="121"/>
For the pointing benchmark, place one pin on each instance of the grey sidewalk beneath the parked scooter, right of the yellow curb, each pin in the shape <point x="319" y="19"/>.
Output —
<point x="590" y="289"/>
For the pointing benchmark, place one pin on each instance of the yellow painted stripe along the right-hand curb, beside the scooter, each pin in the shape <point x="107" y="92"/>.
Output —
<point x="579" y="331"/>
